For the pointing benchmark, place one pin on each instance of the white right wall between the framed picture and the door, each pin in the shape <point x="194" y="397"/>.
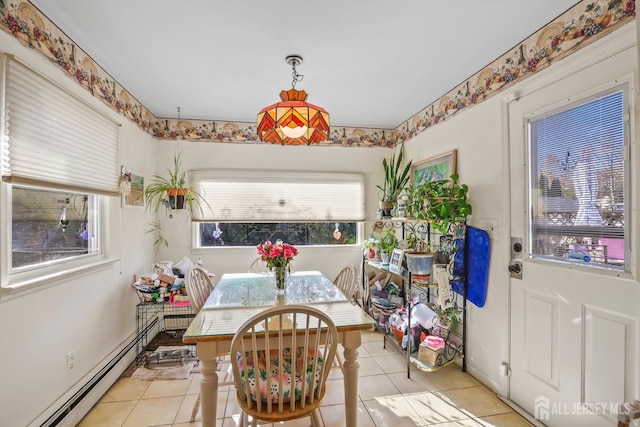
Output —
<point x="476" y="134"/>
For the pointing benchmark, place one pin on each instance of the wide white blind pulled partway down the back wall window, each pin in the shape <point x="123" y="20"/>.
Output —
<point x="279" y="196"/>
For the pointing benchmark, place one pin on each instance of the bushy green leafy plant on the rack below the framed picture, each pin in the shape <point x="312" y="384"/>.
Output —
<point x="445" y="202"/>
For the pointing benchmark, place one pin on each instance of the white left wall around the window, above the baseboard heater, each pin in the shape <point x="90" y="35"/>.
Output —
<point x="93" y="315"/>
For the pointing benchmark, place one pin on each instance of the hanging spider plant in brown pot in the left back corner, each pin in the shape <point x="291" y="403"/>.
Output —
<point x="173" y="191"/>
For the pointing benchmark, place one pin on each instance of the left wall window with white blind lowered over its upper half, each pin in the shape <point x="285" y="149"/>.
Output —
<point x="59" y="161"/>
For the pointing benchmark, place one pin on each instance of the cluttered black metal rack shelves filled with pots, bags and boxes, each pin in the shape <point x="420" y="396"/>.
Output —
<point x="420" y="304"/>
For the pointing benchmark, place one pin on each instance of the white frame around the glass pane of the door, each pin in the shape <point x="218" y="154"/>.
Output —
<point x="625" y="85"/>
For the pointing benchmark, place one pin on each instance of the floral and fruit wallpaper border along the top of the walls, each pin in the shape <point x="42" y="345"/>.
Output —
<point x="584" y="23"/>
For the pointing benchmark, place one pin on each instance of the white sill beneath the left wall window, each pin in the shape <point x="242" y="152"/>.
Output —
<point x="18" y="289"/>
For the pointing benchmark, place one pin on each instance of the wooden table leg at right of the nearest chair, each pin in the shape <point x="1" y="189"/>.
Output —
<point x="351" y="342"/>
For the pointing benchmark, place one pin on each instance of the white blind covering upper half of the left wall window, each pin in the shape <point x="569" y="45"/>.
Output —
<point x="53" y="138"/>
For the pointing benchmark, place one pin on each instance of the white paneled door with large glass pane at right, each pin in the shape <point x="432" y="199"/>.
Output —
<point x="574" y="330"/>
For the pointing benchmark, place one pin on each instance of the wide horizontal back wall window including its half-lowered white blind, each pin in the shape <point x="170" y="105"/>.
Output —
<point x="302" y="208"/>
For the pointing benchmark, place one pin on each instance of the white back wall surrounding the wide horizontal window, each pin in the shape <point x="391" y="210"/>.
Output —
<point x="220" y="260"/>
